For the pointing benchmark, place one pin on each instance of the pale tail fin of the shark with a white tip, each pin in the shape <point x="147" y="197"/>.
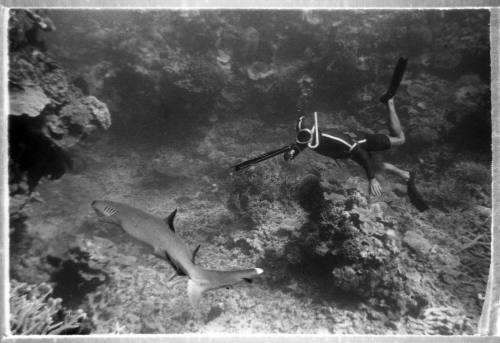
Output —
<point x="205" y="280"/>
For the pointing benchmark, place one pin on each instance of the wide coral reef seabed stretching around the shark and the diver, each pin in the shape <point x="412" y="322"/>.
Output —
<point x="194" y="92"/>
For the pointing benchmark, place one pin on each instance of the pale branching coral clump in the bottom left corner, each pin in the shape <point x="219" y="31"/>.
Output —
<point x="35" y="312"/>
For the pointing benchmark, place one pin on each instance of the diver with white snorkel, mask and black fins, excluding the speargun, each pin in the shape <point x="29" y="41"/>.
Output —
<point x="345" y="145"/>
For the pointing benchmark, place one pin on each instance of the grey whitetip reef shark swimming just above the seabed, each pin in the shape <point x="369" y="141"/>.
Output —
<point x="161" y="236"/>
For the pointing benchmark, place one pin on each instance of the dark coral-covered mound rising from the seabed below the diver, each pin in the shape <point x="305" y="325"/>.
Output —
<point x="362" y="250"/>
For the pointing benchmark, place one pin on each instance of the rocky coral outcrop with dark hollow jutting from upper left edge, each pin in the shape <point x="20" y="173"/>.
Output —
<point x="47" y="115"/>
